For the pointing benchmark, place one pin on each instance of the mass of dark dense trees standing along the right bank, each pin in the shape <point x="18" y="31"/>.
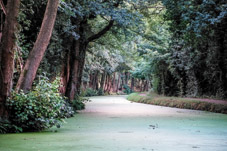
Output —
<point x="193" y="62"/>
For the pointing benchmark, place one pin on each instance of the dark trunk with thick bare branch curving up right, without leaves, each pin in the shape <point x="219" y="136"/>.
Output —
<point x="77" y="59"/>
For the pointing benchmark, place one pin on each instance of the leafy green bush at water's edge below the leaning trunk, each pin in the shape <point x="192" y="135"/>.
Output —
<point x="40" y="108"/>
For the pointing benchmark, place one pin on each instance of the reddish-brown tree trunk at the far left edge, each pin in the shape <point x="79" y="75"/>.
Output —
<point x="7" y="53"/>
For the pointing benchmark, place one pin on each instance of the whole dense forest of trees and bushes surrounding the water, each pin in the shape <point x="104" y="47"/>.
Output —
<point x="54" y="52"/>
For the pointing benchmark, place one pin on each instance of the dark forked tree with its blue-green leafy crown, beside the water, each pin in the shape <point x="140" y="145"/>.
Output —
<point x="106" y="14"/>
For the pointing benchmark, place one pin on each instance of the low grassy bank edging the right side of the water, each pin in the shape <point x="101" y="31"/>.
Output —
<point x="184" y="103"/>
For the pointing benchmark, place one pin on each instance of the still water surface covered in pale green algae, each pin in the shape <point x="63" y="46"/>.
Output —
<point x="111" y="123"/>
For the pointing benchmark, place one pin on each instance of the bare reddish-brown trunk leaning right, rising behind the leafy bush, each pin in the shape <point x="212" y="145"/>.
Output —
<point x="28" y="74"/>
